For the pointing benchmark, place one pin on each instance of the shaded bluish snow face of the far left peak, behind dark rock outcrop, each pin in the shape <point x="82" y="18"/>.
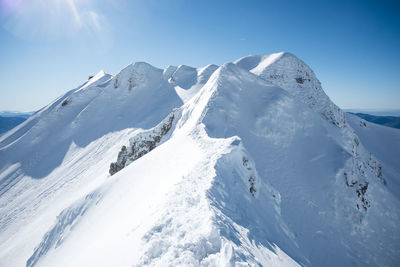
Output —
<point x="137" y="97"/>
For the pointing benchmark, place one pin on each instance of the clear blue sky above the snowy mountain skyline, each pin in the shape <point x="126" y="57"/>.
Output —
<point x="50" y="46"/>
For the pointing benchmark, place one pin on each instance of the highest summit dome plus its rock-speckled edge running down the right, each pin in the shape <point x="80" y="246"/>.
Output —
<point x="293" y="75"/>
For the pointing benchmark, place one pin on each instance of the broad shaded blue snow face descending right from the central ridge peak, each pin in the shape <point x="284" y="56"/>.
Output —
<point x="296" y="148"/>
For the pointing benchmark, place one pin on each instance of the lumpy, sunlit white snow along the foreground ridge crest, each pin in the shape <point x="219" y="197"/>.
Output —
<point x="192" y="239"/>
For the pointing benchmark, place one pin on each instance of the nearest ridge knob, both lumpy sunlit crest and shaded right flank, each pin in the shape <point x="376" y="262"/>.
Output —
<point x="212" y="232"/>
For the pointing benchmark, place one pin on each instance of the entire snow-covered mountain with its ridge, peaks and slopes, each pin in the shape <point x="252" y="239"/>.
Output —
<point x="248" y="163"/>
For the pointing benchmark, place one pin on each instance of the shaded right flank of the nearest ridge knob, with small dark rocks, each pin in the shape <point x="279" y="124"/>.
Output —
<point x="250" y="225"/>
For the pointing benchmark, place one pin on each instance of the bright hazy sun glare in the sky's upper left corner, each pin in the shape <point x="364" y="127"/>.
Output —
<point x="51" y="18"/>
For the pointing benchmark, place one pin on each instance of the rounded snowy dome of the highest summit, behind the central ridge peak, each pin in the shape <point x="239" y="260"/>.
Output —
<point x="293" y="75"/>
